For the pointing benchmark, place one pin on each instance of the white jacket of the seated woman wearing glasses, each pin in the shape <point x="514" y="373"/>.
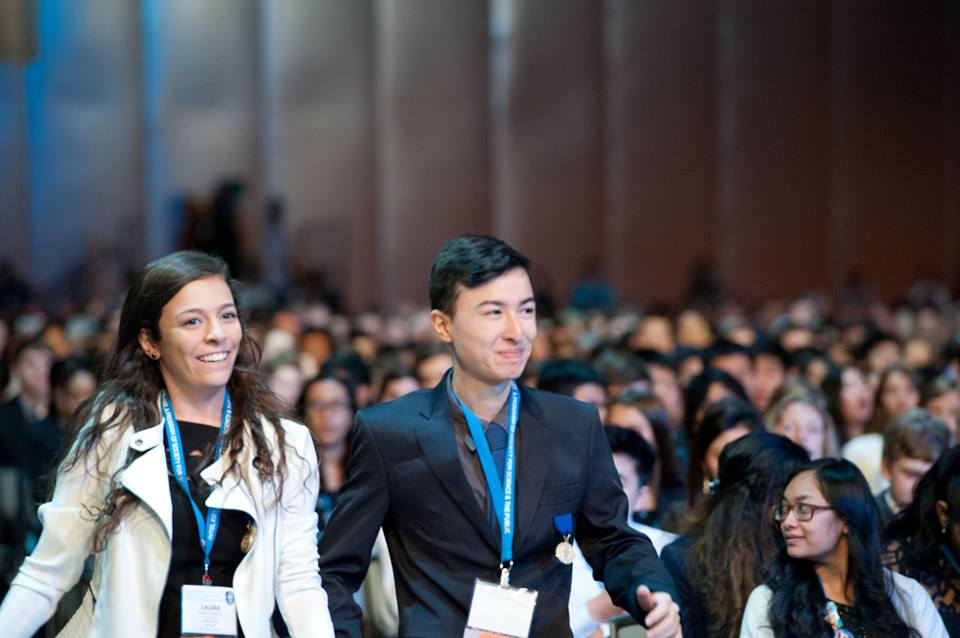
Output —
<point x="911" y="600"/>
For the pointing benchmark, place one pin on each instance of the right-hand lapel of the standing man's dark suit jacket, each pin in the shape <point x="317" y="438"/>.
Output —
<point x="533" y="463"/>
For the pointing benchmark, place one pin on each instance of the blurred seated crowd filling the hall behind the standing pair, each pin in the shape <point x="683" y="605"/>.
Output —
<point x="851" y="377"/>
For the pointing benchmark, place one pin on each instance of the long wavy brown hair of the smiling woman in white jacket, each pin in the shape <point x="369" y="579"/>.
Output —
<point x="132" y="384"/>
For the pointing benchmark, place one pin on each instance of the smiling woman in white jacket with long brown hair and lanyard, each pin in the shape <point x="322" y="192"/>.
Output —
<point x="180" y="461"/>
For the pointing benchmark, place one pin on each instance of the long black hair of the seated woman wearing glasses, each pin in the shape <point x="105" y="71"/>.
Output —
<point x="798" y="602"/>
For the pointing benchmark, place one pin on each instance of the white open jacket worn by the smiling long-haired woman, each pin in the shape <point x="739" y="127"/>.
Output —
<point x="131" y="572"/>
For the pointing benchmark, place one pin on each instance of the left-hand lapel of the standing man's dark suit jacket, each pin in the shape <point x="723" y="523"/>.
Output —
<point x="438" y="441"/>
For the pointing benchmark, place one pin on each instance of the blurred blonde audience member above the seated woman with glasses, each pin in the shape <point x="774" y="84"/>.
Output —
<point x="800" y="417"/>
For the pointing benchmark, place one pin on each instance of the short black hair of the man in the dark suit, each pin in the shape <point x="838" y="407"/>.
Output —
<point x="470" y="261"/>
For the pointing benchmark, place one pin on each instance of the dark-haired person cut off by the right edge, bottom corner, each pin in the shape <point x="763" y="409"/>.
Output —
<point x="923" y="540"/>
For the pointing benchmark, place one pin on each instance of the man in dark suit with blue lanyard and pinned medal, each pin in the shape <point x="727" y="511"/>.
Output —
<point x="416" y="471"/>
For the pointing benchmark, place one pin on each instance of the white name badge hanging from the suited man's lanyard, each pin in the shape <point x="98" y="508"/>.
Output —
<point x="497" y="611"/>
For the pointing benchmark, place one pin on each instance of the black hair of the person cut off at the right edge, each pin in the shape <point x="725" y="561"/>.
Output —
<point x="917" y="526"/>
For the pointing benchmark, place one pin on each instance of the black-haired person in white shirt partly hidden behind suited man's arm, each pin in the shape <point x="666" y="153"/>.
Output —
<point x="590" y="606"/>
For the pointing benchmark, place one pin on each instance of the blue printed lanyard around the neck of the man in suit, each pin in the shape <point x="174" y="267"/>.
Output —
<point x="502" y="494"/>
